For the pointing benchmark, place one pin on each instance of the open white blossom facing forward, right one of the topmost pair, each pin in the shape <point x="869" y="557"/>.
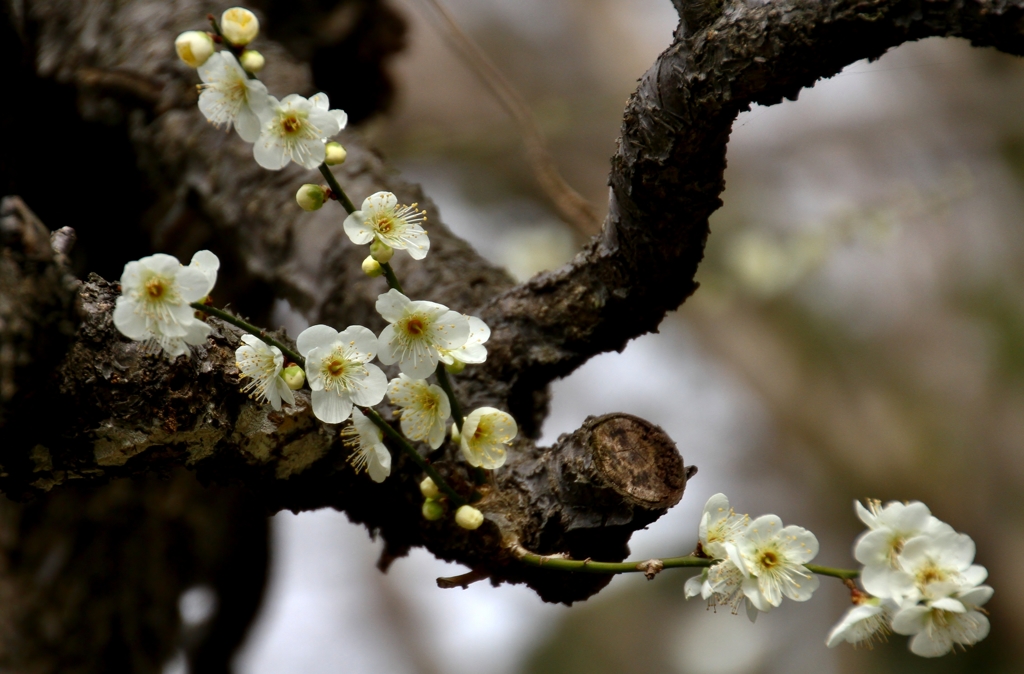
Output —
<point x="294" y="130"/>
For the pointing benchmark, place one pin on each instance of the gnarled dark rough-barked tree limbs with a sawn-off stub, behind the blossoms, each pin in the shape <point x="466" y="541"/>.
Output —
<point x="134" y="415"/>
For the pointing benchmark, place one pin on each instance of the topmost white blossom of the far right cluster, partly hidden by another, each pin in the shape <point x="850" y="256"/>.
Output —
<point x="889" y="530"/>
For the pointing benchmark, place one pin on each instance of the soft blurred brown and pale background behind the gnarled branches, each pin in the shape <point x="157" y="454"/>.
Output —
<point x="860" y="332"/>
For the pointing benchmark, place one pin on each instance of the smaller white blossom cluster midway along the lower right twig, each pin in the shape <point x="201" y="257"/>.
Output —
<point x="758" y="563"/>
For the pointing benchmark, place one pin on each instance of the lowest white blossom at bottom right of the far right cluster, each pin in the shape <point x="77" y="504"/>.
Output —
<point x="940" y="624"/>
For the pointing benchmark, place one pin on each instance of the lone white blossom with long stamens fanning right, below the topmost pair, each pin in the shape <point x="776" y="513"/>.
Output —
<point x="381" y="219"/>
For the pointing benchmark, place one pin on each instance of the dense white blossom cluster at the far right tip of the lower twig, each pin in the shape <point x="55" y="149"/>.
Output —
<point x="921" y="581"/>
